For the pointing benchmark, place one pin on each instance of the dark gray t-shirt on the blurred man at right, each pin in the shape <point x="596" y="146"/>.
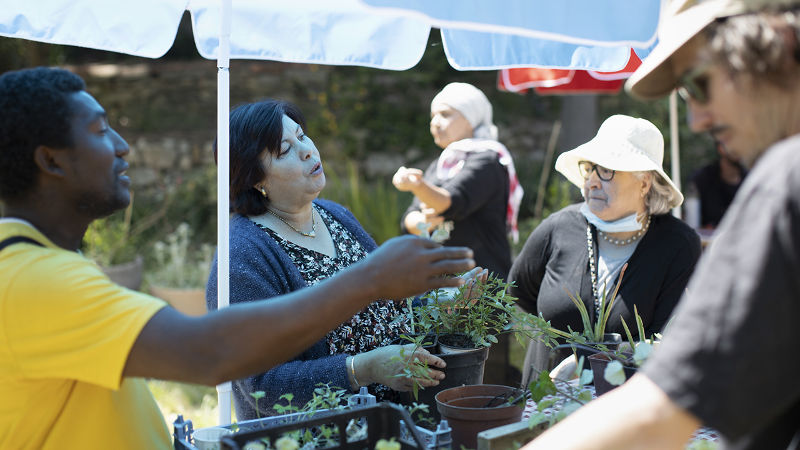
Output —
<point x="731" y="356"/>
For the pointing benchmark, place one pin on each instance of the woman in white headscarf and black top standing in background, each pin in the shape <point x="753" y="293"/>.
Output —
<point x="472" y="187"/>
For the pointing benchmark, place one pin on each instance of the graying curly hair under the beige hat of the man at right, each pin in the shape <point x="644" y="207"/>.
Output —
<point x="756" y="45"/>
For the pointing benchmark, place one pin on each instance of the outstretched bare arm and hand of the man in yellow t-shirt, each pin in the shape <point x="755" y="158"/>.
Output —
<point x="249" y="338"/>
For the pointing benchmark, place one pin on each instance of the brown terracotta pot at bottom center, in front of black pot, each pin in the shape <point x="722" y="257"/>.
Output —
<point x="466" y="411"/>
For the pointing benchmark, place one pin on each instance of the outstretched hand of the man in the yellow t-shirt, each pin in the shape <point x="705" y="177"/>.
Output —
<point x="408" y="265"/>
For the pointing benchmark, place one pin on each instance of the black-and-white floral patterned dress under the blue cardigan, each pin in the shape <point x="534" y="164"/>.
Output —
<point x="375" y="326"/>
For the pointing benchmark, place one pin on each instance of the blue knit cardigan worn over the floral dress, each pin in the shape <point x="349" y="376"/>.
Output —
<point x="260" y="269"/>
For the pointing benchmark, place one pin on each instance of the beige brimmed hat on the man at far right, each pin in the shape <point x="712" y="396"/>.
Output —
<point x="684" y="20"/>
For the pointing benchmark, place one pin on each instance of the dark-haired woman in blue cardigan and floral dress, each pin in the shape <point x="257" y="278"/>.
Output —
<point x="283" y="238"/>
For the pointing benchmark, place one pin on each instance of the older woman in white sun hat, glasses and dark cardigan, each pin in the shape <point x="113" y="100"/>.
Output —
<point x="624" y="218"/>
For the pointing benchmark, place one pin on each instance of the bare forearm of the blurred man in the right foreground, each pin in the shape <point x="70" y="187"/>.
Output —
<point x="636" y="415"/>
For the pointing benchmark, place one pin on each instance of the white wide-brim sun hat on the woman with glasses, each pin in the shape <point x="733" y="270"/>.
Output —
<point x="625" y="144"/>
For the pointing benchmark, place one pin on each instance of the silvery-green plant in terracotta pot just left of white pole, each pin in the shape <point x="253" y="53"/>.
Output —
<point x="181" y="270"/>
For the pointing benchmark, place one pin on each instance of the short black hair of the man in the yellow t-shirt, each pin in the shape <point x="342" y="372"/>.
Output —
<point x="34" y="111"/>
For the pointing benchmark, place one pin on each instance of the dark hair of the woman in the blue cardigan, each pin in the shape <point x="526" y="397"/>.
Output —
<point x="255" y="128"/>
